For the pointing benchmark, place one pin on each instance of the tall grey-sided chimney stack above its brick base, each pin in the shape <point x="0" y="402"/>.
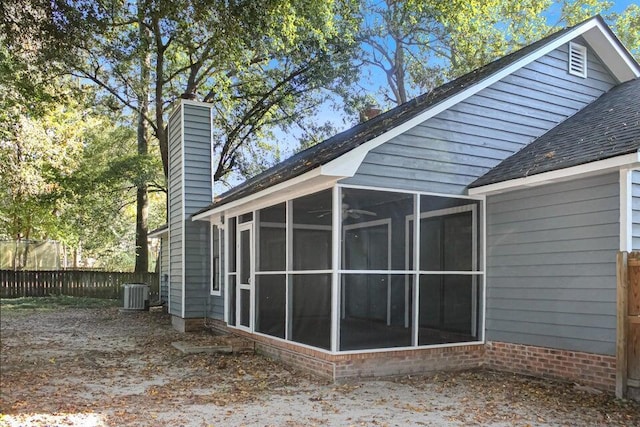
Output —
<point x="190" y="171"/>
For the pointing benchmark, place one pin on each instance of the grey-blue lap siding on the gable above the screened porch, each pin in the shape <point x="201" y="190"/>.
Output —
<point x="446" y="153"/>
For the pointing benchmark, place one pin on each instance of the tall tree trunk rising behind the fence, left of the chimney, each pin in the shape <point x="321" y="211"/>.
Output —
<point x="142" y="196"/>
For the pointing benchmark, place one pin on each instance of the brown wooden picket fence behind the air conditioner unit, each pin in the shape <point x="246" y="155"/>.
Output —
<point x="96" y="284"/>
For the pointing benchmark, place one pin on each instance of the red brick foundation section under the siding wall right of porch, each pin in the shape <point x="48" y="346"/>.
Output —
<point x="594" y="370"/>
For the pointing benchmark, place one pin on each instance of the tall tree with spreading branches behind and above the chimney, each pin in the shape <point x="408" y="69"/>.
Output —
<point x="260" y="63"/>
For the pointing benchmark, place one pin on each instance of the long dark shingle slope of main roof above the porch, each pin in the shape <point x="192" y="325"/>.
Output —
<point x="346" y="141"/>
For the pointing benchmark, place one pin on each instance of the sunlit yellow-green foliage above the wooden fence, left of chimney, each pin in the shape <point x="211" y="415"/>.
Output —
<point x="66" y="172"/>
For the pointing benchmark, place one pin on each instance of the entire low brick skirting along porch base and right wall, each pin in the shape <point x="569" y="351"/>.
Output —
<point x="595" y="370"/>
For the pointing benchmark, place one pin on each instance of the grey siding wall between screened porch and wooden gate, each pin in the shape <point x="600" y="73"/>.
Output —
<point x="551" y="265"/>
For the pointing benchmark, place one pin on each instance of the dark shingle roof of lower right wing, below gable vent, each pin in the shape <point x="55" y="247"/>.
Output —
<point x="608" y="127"/>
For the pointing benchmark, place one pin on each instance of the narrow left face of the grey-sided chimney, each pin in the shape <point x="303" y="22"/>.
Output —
<point x="175" y="214"/>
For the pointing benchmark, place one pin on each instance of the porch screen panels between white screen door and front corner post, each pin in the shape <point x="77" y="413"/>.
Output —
<point x="293" y="278"/>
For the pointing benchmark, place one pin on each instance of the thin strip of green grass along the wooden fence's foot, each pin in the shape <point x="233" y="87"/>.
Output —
<point x="55" y="302"/>
